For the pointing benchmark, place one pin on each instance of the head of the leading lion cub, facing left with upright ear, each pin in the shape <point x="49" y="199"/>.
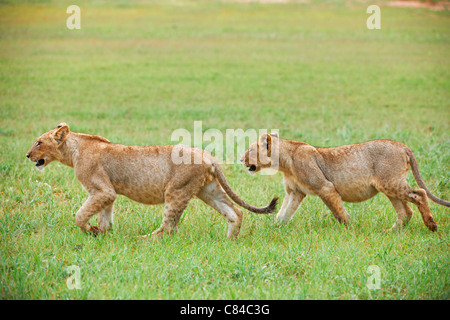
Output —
<point x="46" y="148"/>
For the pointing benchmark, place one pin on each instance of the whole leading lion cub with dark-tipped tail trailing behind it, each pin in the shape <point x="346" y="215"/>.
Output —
<point x="144" y="174"/>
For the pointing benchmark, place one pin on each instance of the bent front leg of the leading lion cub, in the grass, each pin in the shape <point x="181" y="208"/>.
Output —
<point x="95" y="203"/>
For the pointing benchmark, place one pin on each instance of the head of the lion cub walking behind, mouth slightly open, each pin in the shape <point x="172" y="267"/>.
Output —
<point x="262" y="153"/>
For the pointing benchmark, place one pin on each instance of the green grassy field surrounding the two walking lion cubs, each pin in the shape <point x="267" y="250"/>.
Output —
<point x="135" y="72"/>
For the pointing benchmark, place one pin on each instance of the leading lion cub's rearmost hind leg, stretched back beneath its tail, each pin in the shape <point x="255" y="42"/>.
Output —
<point x="213" y="195"/>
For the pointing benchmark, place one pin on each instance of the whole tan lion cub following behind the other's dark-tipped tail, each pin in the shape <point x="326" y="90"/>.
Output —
<point x="351" y="173"/>
